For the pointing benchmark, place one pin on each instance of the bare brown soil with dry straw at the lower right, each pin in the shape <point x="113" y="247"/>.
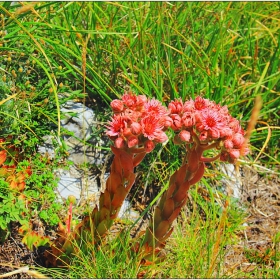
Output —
<point x="257" y="246"/>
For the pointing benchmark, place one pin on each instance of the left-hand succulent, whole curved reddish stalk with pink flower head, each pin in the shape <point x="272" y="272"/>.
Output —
<point x="136" y="127"/>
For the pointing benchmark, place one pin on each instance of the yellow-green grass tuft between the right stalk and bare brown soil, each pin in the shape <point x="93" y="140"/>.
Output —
<point x="202" y="238"/>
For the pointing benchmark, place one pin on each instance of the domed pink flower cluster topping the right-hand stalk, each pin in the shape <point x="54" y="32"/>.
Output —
<point x="209" y="122"/>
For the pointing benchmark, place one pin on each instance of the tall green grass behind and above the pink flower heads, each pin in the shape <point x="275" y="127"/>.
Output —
<point x="229" y="52"/>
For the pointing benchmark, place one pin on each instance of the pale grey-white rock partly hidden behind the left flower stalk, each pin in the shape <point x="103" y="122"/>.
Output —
<point x="77" y="126"/>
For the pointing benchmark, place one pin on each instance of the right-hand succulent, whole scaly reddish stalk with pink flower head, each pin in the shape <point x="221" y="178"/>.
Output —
<point x="200" y="125"/>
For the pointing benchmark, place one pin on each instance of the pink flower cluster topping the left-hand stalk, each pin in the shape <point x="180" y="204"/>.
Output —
<point x="137" y="121"/>
